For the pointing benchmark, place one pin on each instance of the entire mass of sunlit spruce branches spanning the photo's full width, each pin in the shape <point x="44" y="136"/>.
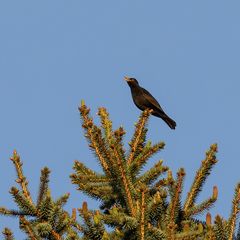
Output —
<point x="135" y="204"/>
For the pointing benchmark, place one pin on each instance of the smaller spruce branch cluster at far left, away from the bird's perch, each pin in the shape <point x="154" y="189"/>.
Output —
<point x="44" y="219"/>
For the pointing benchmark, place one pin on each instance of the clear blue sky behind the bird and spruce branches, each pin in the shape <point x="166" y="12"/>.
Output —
<point x="55" y="53"/>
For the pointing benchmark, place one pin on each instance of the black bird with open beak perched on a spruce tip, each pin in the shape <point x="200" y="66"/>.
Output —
<point x="144" y="100"/>
